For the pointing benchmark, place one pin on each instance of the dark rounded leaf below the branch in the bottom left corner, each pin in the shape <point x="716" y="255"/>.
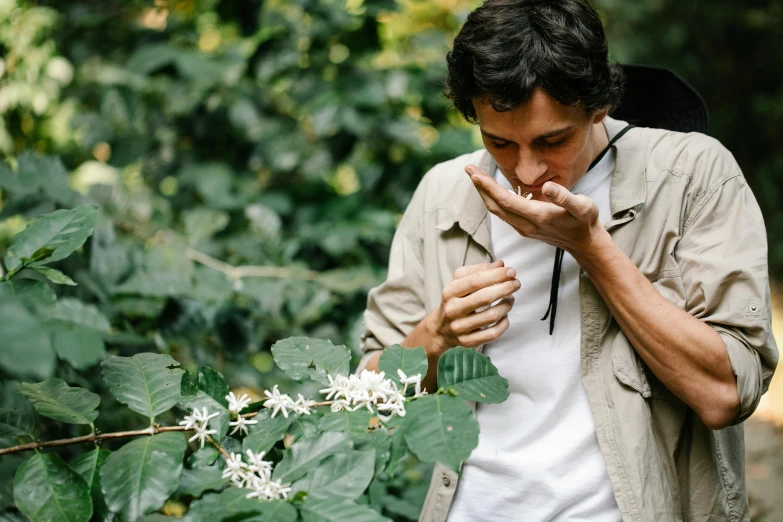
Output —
<point x="47" y="490"/>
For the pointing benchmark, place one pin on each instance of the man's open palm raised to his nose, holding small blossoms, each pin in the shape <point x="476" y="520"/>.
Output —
<point x="565" y="220"/>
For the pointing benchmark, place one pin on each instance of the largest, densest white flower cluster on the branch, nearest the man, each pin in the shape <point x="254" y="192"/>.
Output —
<point x="370" y="389"/>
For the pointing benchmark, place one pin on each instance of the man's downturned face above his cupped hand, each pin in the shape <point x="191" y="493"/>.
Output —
<point x="541" y="141"/>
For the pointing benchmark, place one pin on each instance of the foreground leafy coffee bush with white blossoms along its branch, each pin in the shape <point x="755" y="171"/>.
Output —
<point x="335" y="464"/>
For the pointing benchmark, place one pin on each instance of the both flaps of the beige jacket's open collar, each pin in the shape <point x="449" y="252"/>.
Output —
<point x="627" y="191"/>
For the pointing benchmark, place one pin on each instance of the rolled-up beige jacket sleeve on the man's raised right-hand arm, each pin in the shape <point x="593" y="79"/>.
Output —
<point x="722" y="254"/>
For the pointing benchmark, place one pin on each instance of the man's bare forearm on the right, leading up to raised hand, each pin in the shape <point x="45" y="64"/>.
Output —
<point x="687" y="355"/>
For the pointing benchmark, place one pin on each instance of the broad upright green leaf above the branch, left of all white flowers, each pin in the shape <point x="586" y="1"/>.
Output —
<point x="147" y="382"/>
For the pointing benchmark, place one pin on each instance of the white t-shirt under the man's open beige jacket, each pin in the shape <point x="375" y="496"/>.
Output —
<point x="538" y="457"/>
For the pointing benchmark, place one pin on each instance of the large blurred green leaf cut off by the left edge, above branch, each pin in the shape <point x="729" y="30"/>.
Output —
<point x="27" y="349"/>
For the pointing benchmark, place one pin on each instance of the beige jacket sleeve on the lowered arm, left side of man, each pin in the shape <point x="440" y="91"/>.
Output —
<point x="396" y="306"/>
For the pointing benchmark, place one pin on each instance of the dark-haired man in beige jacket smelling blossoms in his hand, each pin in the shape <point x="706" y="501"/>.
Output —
<point x="626" y="402"/>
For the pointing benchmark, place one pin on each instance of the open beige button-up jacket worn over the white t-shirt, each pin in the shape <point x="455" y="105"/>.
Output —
<point x="684" y="214"/>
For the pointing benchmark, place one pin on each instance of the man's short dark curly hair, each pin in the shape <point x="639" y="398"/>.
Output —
<point x="508" y="48"/>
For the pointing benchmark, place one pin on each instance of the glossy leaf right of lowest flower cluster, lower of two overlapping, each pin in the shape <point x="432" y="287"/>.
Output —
<point x="344" y="475"/>
